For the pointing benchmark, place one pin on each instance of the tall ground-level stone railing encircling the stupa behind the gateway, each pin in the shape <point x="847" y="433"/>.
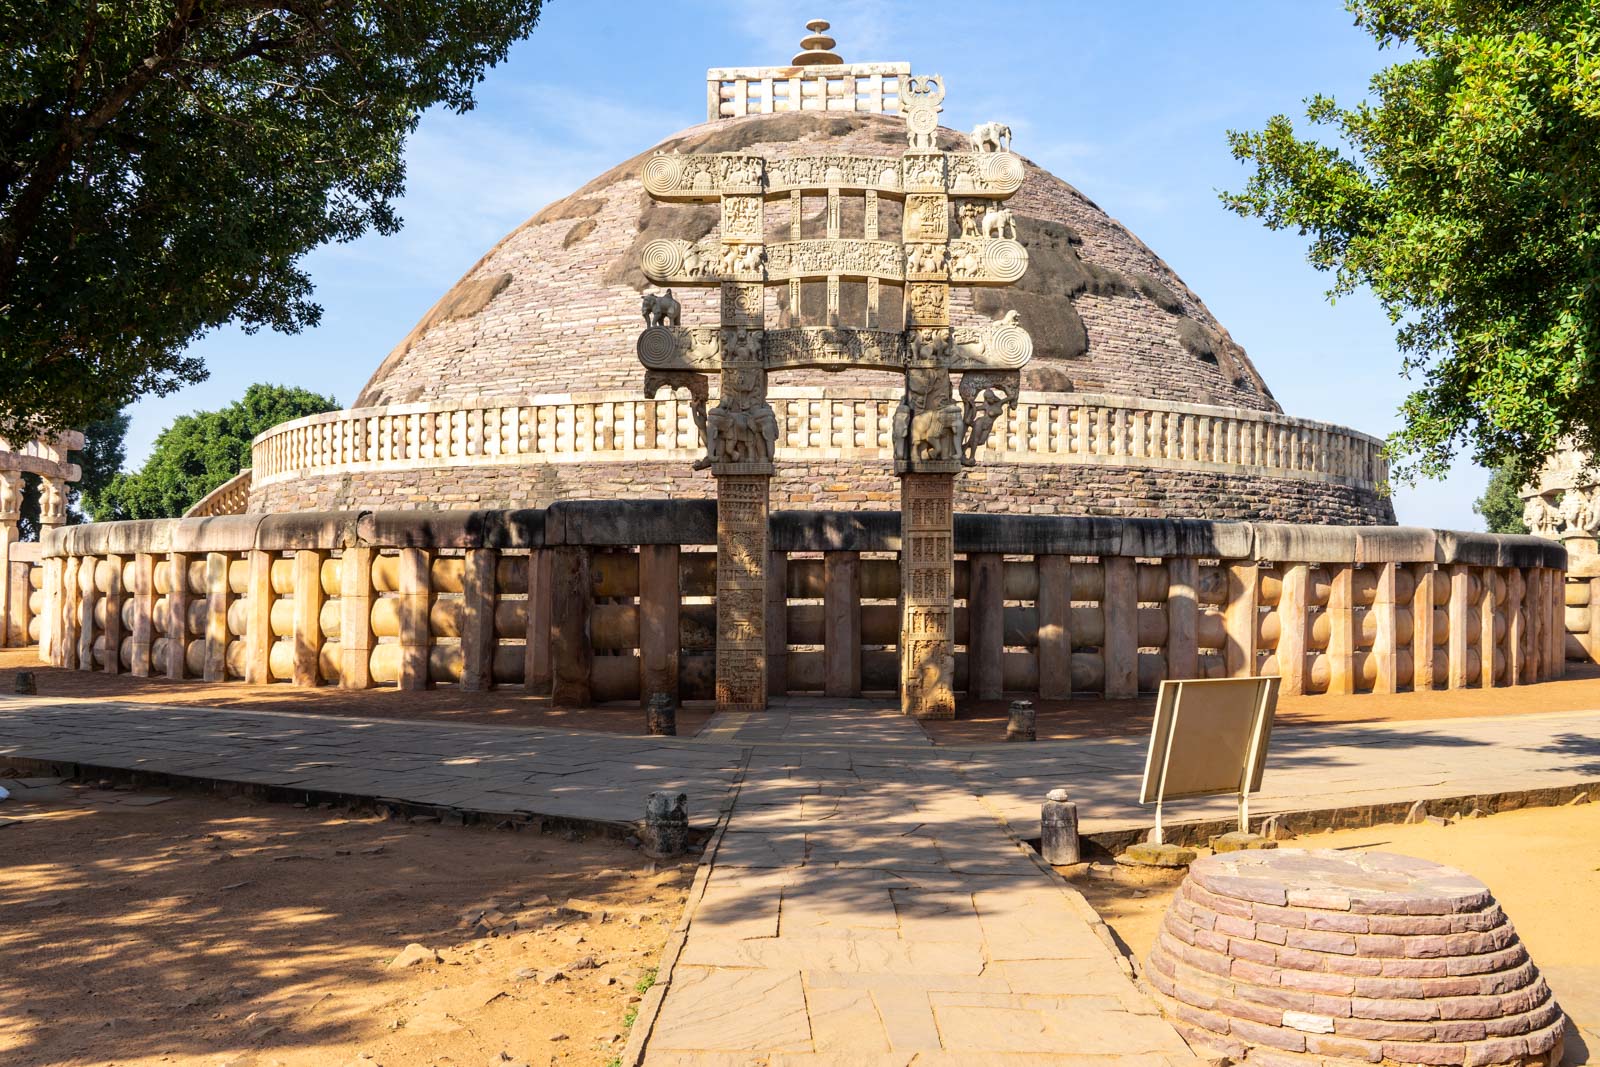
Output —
<point x="615" y="601"/>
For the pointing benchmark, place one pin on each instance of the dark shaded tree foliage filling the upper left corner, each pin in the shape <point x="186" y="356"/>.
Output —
<point x="164" y="167"/>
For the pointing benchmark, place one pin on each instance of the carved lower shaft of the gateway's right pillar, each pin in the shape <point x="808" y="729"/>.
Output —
<point x="927" y="596"/>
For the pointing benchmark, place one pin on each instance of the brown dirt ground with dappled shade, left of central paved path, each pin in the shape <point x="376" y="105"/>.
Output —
<point x="182" y="930"/>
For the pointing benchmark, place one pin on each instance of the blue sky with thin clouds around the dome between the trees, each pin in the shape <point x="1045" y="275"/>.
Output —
<point x="1127" y="102"/>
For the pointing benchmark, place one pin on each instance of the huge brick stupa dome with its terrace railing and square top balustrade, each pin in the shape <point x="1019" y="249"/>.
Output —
<point x="522" y="385"/>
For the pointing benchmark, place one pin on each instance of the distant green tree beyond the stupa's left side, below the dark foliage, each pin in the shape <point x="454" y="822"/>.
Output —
<point x="201" y="452"/>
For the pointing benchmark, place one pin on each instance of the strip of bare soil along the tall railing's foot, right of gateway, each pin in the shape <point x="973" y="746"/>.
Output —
<point x="1066" y="721"/>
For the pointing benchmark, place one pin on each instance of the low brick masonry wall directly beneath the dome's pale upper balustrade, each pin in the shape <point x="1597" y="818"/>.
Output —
<point x="991" y="489"/>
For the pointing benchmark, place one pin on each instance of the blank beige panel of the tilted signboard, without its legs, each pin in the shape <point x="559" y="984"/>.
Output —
<point x="1210" y="737"/>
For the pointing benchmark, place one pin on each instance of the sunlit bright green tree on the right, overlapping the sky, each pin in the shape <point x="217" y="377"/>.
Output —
<point x="1465" y="194"/>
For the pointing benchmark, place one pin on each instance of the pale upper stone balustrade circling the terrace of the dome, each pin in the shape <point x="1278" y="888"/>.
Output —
<point x="814" y="425"/>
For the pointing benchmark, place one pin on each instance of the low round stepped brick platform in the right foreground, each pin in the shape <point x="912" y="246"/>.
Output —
<point x="1327" y="957"/>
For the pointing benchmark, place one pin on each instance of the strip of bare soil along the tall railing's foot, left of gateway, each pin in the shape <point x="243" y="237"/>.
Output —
<point x="502" y="708"/>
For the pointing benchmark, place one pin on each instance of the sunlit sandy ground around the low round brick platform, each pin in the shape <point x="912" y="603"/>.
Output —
<point x="1543" y="866"/>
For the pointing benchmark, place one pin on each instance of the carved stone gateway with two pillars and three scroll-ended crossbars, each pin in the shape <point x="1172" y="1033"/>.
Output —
<point x="938" y="428"/>
